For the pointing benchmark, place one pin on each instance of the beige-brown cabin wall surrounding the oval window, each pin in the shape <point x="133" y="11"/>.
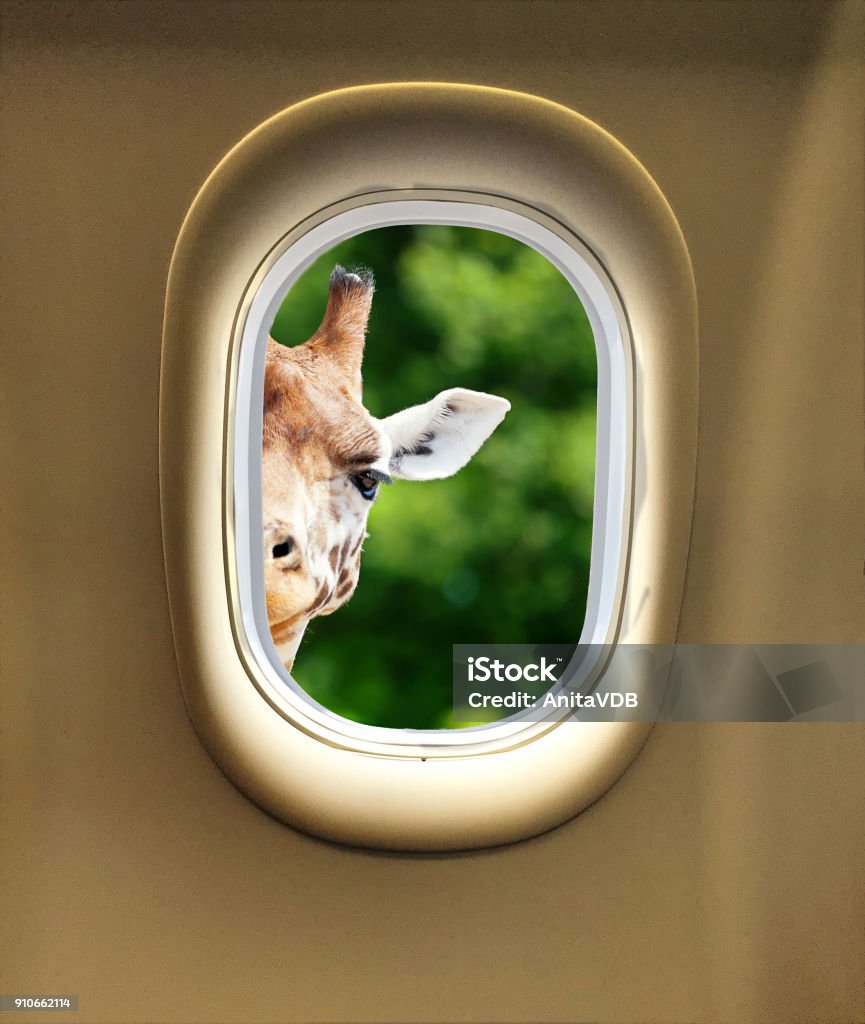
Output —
<point x="721" y="880"/>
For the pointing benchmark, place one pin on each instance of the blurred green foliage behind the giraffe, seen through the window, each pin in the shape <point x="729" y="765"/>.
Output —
<point x="500" y="552"/>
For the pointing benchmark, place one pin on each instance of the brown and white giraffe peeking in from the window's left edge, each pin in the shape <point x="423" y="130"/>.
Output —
<point x="325" y="458"/>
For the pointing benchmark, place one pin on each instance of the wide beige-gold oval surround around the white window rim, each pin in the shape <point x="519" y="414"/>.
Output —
<point x="477" y="788"/>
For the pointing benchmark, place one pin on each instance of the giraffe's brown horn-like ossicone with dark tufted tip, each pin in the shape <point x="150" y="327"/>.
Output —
<point x="341" y="335"/>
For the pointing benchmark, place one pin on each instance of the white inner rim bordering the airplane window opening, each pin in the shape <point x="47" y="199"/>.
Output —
<point x="613" y="475"/>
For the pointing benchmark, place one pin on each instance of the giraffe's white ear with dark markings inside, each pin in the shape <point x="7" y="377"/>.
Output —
<point x="439" y="439"/>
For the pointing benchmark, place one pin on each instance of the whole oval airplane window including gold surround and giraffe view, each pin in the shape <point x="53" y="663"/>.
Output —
<point x="491" y="368"/>
